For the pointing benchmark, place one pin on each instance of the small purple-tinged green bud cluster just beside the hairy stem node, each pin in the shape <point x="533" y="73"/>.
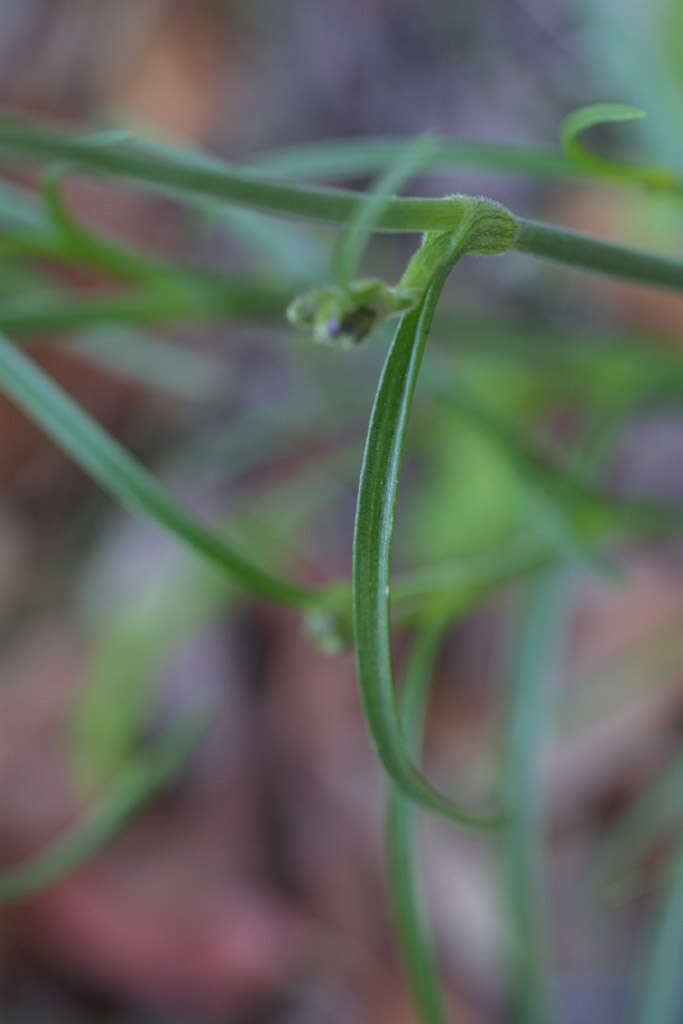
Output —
<point x="345" y="317"/>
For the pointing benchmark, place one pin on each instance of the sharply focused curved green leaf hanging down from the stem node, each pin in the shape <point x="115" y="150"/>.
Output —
<point x="372" y="557"/>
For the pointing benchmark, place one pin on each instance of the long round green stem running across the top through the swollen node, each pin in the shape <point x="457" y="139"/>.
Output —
<point x="334" y="205"/>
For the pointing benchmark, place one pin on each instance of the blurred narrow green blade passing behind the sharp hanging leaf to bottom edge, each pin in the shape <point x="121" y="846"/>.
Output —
<point x="403" y="860"/>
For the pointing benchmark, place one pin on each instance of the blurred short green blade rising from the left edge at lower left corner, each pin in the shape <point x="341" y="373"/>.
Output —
<point x="138" y="783"/>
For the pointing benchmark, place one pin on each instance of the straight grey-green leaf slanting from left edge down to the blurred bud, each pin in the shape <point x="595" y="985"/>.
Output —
<point x="117" y="473"/>
